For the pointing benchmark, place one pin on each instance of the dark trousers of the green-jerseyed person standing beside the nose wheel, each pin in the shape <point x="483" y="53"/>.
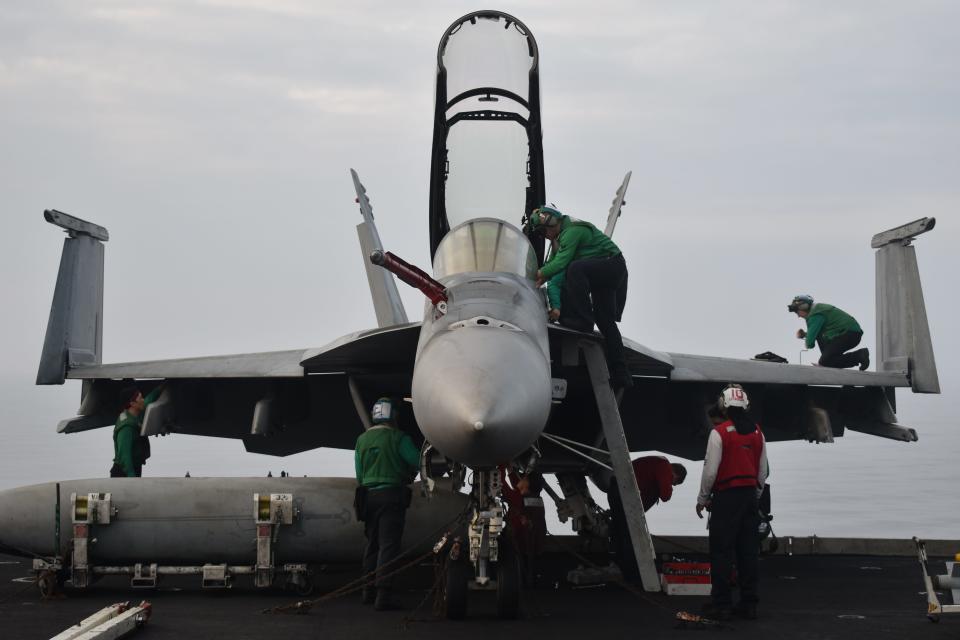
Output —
<point x="383" y="525"/>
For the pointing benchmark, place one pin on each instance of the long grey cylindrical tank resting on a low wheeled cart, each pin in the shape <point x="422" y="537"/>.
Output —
<point x="197" y="521"/>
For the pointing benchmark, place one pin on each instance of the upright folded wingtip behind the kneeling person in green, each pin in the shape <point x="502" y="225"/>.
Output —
<point x="903" y="335"/>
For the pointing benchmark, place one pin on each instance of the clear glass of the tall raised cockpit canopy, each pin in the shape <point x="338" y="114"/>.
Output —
<point x="487" y="62"/>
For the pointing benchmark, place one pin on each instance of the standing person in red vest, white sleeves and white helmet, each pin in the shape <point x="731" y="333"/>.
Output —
<point x="734" y="473"/>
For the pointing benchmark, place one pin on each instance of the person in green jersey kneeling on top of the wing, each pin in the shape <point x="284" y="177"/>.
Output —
<point x="833" y="330"/>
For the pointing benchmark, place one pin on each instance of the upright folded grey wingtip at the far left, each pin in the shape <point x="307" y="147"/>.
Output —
<point x="75" y="327"/>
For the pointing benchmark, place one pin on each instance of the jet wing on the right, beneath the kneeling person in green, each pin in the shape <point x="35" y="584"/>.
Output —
<point x="659" y="413"/>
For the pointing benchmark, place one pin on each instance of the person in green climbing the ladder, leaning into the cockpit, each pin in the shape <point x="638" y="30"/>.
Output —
<point x="594" y="287"/>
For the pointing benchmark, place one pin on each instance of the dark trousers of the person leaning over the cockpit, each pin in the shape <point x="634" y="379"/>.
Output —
<point x="605" y="281"/>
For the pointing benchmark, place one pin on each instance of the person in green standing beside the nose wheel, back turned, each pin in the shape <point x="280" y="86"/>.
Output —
<point x="385" y="461"/>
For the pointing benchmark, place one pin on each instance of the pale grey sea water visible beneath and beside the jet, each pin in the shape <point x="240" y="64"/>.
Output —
<point x="858" y="486"/>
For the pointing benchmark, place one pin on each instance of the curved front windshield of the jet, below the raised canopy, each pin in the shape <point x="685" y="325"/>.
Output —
<point x="486" y="245"/>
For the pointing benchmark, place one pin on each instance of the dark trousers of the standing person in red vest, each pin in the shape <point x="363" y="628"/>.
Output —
<point x="734" y="521"/>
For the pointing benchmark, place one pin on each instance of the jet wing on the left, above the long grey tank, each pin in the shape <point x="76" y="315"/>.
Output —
<point x="279" y="403"/>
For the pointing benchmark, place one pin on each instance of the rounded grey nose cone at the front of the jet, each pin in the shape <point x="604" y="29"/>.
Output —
<point x="481" y="396"/>
